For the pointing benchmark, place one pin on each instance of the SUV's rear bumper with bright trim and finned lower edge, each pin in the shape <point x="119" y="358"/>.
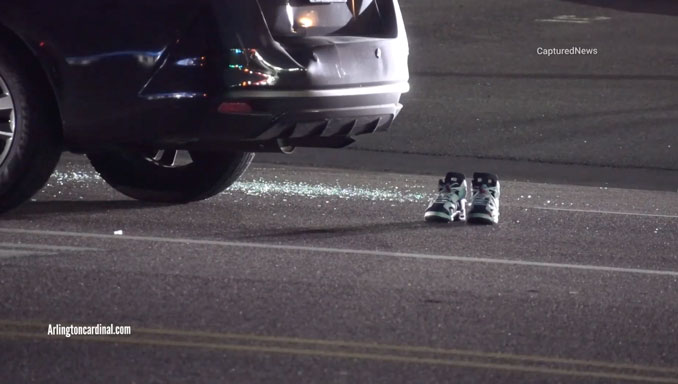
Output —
<point x="306" y="118"/>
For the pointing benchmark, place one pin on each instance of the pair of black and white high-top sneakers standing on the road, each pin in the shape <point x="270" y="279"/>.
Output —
<point x="450" y="205"/>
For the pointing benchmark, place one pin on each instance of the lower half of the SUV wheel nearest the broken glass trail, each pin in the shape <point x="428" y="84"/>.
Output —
<point x="170" y="176"/>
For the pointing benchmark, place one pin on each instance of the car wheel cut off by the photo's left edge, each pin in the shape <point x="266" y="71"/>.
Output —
<point x="30" y="139"/>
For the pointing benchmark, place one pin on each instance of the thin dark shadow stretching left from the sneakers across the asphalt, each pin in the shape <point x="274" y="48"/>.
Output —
<point x="333" y="232"/>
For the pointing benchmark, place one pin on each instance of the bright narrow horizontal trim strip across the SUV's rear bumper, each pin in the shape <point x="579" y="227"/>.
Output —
<point x="403" y="87"/>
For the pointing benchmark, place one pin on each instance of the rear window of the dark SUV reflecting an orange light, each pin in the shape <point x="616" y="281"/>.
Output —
<point x="293" y="19"/>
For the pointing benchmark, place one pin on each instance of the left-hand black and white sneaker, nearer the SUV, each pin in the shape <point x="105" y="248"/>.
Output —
<point x="450" y="205"/>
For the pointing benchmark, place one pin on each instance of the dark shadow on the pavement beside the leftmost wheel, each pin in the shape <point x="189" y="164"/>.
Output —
<point x="45" y="208"/>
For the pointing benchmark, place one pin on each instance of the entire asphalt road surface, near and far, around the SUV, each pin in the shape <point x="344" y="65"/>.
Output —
<point x="319" y="268"/>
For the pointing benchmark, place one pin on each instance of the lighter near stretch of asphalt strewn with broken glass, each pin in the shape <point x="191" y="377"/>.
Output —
<point x="312" y="275"/>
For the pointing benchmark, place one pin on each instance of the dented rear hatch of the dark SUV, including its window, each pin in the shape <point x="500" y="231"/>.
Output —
<point x="339" y="43"/>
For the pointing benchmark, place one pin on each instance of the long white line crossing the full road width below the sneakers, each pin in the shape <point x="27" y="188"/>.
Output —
<point x="479" y="260"/>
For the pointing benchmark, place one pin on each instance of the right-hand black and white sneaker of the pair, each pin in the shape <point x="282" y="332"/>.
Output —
<point x="485" y="203"/>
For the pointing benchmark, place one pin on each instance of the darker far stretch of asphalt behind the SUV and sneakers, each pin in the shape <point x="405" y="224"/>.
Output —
<point x="480" y="89"/>
